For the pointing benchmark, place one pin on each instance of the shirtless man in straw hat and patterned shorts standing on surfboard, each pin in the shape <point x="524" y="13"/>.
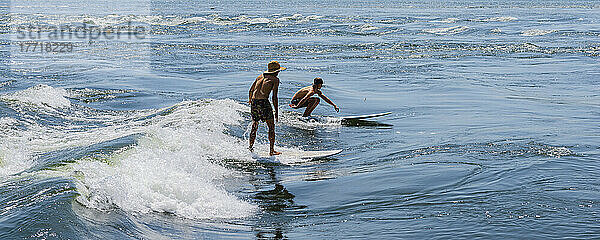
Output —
<point x="260" y="108"/>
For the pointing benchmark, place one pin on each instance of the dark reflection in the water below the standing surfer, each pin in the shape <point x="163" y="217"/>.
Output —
<point x="274" y="202"/>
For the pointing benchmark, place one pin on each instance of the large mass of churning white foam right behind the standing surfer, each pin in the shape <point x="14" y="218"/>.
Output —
<point x="172" y="168"/>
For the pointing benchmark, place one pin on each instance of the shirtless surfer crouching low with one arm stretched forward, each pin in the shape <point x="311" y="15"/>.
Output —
<point x="303" y="98"/>
